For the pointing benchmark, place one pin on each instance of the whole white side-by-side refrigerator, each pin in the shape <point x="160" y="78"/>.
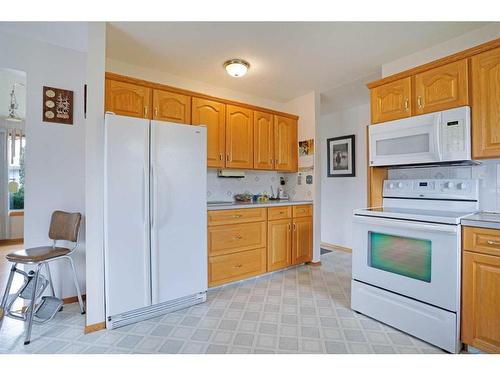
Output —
<point x="155" y="218"/>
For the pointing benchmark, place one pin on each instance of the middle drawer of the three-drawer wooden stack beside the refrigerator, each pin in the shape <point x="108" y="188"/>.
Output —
<point x="236" y="237"/>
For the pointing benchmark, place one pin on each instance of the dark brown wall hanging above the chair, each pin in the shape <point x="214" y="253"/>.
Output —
<point x="57" y="105"/>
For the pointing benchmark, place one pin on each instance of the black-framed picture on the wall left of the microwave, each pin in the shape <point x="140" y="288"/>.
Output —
<point x="341" y="158"/>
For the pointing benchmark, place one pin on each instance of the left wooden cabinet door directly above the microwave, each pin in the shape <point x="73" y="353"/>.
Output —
<point x="391" y="101"/>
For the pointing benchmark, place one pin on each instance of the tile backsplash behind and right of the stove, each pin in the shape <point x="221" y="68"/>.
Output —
<point x="488" y="174"/>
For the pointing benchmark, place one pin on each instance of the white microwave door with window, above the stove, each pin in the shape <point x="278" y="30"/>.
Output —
<point x="414" y="140"/>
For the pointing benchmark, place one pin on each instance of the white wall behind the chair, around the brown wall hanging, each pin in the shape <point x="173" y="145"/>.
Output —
<point x="55" y="154"/>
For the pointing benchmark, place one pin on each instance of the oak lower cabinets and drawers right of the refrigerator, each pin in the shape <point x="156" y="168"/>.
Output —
<point x="246" y="242"/>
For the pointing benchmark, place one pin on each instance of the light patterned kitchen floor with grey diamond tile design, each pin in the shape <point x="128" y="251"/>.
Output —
<point x="300" y="310"/>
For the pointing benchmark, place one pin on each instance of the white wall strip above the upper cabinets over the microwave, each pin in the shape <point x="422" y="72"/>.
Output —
<point x="460" y="43"/>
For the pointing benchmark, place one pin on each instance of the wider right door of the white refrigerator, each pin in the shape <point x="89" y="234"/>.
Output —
<point x="178" y="210"/>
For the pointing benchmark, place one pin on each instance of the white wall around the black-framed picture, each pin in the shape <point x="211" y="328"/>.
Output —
<point x="341" y="195"/>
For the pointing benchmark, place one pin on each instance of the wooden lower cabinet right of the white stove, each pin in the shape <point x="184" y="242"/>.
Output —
<point x="480" y="321"/>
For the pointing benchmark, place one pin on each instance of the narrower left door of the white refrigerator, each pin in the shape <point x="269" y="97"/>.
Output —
<point x="127" y="256"/>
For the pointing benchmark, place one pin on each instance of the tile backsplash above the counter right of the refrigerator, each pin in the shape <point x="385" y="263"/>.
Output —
<point x="256" y="182"/>
